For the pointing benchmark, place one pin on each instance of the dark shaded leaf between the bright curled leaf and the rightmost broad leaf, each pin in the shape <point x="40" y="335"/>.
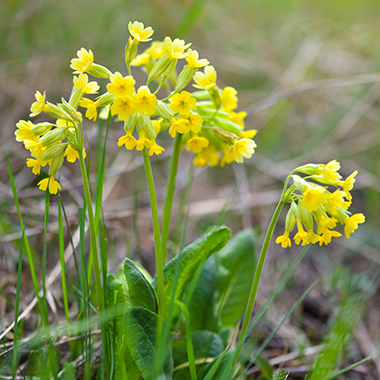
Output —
<point x="201" y="303"/>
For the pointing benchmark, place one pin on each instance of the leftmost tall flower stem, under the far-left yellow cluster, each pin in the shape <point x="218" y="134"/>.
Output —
<point x="98" y="281"/>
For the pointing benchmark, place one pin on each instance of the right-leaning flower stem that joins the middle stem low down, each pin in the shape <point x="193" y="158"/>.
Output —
<point x="169" y="197"/>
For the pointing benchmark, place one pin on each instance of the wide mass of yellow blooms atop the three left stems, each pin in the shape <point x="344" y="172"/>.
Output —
<point x="206" y="119"/>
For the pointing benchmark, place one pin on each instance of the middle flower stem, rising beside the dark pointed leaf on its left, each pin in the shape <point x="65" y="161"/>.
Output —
<point x="157" y="237"/>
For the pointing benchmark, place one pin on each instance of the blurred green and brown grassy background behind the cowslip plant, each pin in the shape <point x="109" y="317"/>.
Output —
<point x="307" y="74"/>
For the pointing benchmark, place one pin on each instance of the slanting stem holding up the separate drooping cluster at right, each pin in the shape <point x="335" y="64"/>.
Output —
<point x="256" y="281"/>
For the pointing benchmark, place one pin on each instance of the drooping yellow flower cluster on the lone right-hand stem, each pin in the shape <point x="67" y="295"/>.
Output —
<point x="315" y="210"/>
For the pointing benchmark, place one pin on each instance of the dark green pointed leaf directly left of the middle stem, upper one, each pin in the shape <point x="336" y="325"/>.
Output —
<point x="141" y="293"/>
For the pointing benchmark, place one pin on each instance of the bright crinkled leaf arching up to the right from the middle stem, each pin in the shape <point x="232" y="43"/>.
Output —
<point x="191" y="258"/>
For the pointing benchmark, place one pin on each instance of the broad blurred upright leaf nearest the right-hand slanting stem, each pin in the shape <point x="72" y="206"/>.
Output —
<point x="239" y="257"/>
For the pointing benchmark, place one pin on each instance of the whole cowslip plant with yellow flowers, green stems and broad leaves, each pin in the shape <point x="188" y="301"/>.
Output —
<point x="177" y="325"/>
